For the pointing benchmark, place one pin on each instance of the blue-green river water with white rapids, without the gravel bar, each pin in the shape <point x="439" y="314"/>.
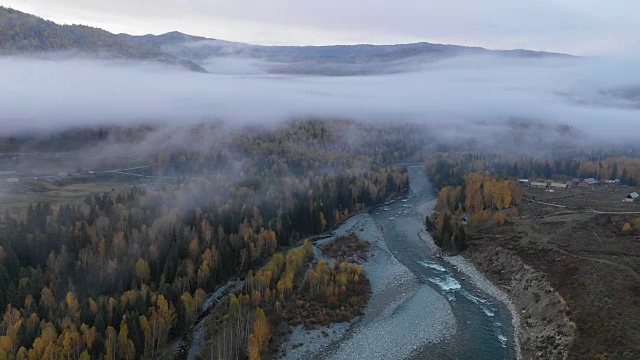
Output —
<point x="483" y="324"/>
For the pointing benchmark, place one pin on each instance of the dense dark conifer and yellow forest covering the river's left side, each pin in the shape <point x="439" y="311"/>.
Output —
<point x="121" y="273"/>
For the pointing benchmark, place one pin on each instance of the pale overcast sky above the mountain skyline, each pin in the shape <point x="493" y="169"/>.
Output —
<point x="583" y="27"/>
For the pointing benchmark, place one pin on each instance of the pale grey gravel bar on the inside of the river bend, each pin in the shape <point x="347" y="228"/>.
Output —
<point x="401" y="316"/>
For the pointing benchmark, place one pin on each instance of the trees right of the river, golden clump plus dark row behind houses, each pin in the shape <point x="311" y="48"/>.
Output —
<point x="478" y="188"/>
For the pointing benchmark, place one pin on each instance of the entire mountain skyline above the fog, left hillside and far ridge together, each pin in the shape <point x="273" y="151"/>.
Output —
<point x="22" y="33"/>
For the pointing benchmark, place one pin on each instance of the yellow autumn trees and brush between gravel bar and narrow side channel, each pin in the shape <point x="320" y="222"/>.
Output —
<point x="291" y="289"/>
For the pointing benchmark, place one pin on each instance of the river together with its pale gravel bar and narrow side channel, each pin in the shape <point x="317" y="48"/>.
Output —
<point x="422" y="306"/>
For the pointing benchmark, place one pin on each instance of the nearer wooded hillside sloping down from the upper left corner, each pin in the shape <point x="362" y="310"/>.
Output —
<point x="22" y="33"/>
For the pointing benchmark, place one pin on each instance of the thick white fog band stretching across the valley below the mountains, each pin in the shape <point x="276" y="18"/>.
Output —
<point x="598" y="97"/>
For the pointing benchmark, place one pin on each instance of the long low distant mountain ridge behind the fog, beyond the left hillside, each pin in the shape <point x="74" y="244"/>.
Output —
<point x="321" y="60"/>
